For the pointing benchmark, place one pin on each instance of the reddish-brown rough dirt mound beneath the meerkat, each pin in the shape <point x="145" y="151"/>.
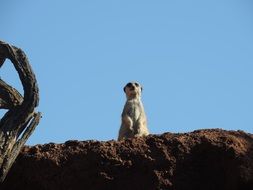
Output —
<point x="204" y="159"/>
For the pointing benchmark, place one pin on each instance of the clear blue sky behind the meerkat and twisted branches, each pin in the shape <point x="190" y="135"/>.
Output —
<point x="193" y="58"/>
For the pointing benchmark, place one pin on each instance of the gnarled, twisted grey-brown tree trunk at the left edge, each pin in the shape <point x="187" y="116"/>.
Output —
<point x="21" y="119"/>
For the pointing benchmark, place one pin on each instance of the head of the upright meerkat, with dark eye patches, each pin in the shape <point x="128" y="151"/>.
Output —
<point x="133" y="90"/>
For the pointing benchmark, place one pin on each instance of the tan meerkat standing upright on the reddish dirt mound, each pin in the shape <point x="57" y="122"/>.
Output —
<point x="133" y="117"/>
